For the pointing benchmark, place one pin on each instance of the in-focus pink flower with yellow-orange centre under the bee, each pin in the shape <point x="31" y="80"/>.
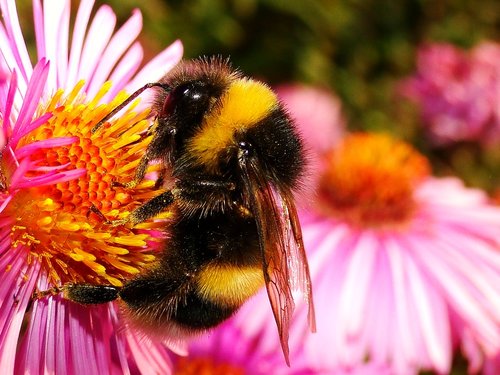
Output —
<point x="53" y="170"/>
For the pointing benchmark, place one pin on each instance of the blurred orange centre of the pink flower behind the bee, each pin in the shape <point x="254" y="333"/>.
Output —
<point x="369" y="181"/>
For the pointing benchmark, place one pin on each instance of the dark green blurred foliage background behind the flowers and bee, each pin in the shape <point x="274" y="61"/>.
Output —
<point x="359" y="49"/>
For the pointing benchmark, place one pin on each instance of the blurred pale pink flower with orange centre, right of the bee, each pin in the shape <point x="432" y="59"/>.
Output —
<point x="405" y="266"/>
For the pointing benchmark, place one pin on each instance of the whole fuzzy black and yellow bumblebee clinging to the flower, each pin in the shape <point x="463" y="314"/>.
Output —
<point x="235" y="158"/>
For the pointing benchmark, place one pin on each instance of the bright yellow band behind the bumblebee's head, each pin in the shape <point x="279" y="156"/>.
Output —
<point x="242" y="105"/>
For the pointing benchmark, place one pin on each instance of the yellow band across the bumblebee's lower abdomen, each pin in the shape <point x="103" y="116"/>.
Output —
<point x="229" y="285"/>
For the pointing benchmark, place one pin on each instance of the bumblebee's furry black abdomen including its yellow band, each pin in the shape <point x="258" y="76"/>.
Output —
<point x="181" y="290"/>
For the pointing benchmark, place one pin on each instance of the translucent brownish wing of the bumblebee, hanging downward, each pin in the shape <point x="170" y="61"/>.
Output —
<point x="284" y="260"/>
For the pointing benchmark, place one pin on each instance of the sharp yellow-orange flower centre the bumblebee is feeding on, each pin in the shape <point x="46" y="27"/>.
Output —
<point x="57" y="221"/>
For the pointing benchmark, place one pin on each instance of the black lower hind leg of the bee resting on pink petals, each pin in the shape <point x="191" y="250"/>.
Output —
<point x="88" y="294"/>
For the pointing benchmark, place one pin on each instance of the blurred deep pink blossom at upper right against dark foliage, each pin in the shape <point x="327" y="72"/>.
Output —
<point x="458" y="92"/>
